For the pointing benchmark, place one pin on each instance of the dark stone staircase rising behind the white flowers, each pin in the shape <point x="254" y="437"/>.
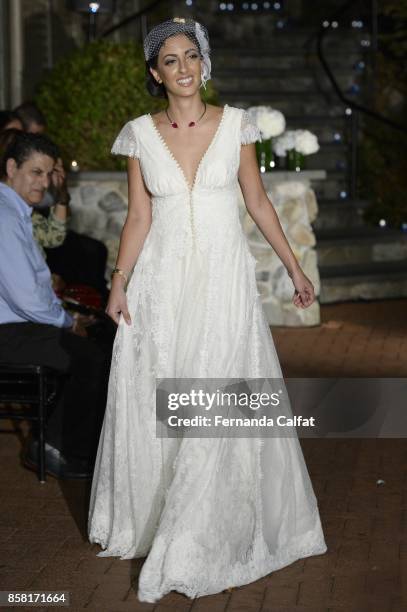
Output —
<point x="280" y="69"/>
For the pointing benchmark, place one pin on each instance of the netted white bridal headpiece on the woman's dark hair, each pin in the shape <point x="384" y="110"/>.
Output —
<point x="179" y="25"/>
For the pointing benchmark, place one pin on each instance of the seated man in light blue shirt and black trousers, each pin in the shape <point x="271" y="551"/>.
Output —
<point x="34" y="327"/>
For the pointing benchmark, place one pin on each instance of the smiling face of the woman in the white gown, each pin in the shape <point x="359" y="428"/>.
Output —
<point x="179" y="66"/>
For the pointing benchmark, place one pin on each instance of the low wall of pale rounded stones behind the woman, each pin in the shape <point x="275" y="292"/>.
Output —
<point x="99" y="206"/>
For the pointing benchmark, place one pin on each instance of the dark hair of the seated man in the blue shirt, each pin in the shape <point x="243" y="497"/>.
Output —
<point x="23" y="145"/>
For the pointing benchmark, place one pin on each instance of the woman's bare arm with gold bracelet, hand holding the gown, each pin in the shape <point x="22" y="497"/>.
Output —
<point x="135" y="230"/>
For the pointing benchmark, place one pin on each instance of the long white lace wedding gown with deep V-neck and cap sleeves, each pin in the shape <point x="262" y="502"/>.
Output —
<point x="209" y="513"/>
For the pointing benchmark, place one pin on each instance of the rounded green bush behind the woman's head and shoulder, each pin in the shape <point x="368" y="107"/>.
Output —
<point x="91" y="94"/>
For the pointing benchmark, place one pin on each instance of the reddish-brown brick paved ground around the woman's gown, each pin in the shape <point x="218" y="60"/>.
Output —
<point x="42" y="530"/>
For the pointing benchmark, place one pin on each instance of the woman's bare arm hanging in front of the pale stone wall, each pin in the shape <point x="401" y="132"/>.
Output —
<point x="264" y="215"/>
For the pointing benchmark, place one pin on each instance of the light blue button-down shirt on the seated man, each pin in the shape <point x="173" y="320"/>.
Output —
<point x="26" y="292"/>
